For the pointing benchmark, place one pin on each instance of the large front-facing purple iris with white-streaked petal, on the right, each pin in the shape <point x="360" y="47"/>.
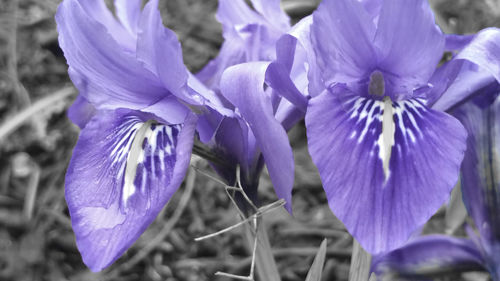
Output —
<point x="387" y="159"/>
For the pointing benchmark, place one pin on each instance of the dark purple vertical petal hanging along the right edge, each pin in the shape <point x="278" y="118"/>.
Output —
<point x="480" y="168"/>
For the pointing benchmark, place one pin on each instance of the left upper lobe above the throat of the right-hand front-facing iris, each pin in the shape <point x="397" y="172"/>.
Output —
<point x="342" y="34"/>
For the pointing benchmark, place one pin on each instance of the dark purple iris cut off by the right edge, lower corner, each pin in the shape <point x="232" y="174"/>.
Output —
<point x="481" y="194"/>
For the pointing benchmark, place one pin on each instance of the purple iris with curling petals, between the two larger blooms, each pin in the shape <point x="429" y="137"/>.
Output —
<point x="247" y="60"/>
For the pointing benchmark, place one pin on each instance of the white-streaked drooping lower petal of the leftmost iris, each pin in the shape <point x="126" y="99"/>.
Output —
<point x="124" y="168"/>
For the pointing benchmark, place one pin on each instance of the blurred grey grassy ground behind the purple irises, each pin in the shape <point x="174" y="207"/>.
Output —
<point x="36" y="140"/>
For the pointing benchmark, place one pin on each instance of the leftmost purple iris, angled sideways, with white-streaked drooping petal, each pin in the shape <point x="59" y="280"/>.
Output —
<point x="134" y="109"/>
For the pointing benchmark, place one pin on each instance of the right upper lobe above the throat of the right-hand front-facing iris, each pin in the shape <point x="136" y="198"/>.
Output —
<point x="407" y="27"/>
